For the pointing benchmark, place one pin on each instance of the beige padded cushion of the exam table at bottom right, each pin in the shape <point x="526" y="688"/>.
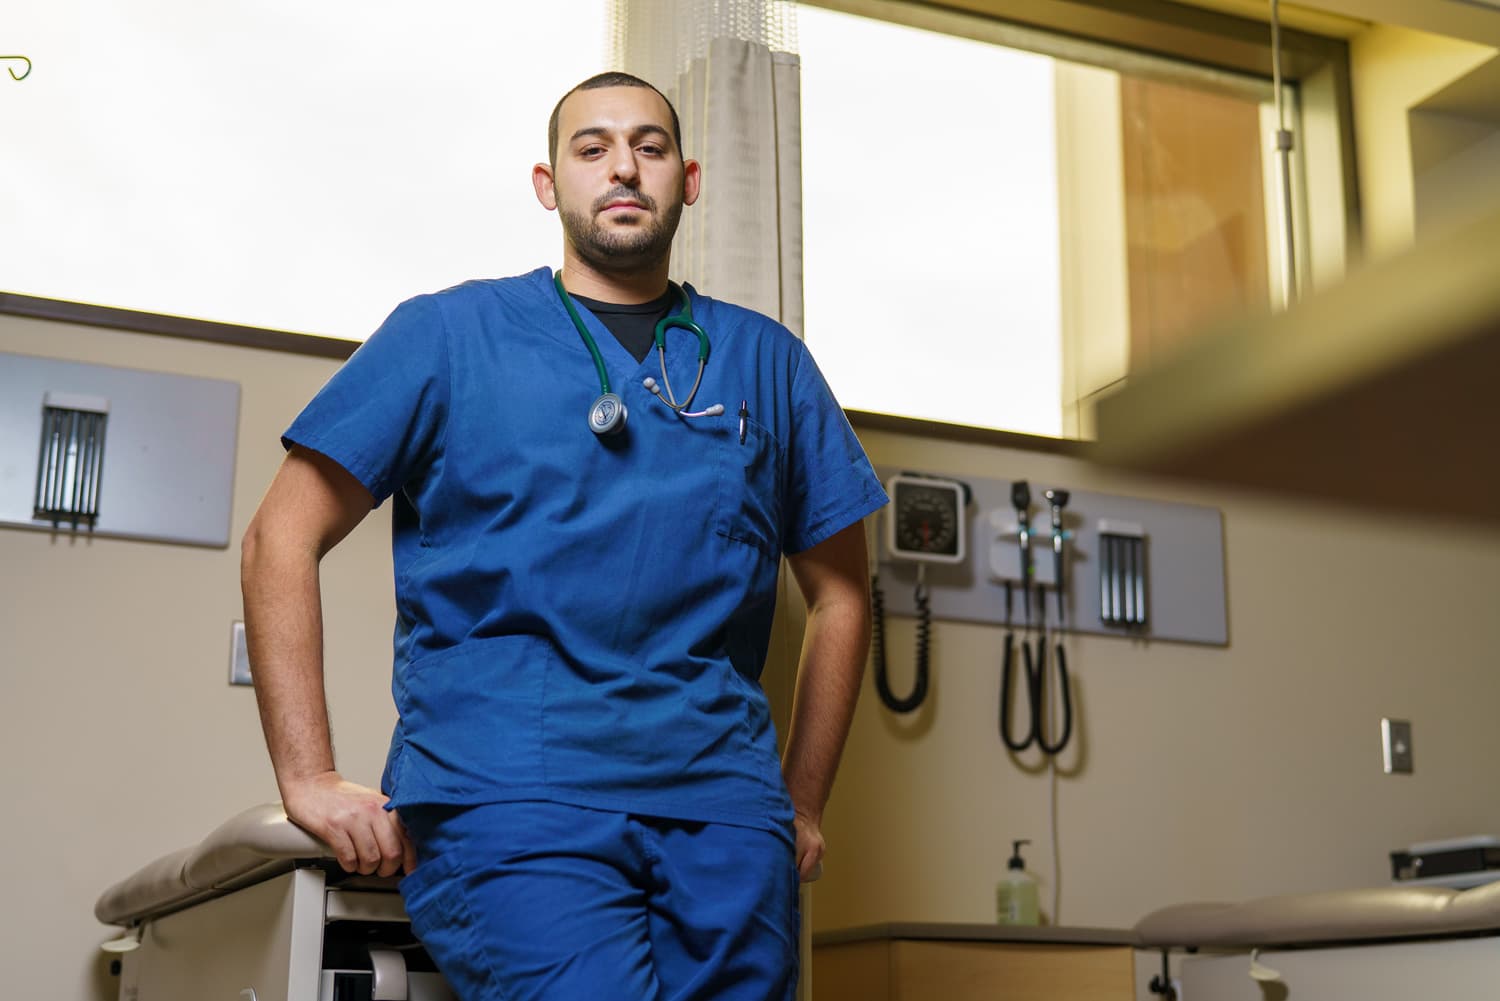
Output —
<point x="1319" y="919"/>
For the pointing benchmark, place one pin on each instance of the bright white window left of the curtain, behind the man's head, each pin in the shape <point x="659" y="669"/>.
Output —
<point x="280" y="164"/>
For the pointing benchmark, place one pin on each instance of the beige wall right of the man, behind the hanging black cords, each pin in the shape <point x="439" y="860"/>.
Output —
<point x="1199" y="774"/>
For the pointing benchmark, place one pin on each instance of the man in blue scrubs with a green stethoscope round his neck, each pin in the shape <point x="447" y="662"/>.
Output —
<point x="583" y="787"/>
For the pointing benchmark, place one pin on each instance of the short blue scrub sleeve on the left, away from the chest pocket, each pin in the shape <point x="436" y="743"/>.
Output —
<point x="382" y="416"/>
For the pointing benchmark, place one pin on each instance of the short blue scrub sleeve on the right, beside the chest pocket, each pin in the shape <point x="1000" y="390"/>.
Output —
<point x="830" y="482"/>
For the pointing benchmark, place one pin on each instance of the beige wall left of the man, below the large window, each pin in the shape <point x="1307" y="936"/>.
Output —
<point x="121" y="733"/>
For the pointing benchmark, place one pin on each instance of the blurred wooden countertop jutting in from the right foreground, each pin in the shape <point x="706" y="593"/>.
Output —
<point x="1381" y="392"/>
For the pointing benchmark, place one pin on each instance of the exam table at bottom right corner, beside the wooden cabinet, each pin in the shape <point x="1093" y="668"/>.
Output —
<point x="1375" y="945"/>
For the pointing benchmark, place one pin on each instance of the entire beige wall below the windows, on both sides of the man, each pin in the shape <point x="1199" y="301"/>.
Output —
<point x="1199" y="772"/>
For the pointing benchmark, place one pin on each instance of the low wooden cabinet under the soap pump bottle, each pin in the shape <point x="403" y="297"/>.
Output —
<point x="971" y="964"/>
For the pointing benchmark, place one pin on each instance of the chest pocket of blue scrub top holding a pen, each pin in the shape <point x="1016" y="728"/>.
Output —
<point x="749" y="485"/>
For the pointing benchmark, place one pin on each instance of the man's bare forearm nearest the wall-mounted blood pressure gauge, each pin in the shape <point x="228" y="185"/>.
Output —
<point x="835" y="649"/>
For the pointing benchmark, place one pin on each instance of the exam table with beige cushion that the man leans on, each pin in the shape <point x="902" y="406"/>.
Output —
<point x="260" y="912"/>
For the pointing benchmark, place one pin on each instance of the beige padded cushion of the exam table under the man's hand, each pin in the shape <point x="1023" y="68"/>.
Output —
<point x="247" y="849"/>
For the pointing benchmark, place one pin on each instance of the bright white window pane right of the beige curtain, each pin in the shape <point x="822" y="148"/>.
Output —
<point x="931" y="223"/>
